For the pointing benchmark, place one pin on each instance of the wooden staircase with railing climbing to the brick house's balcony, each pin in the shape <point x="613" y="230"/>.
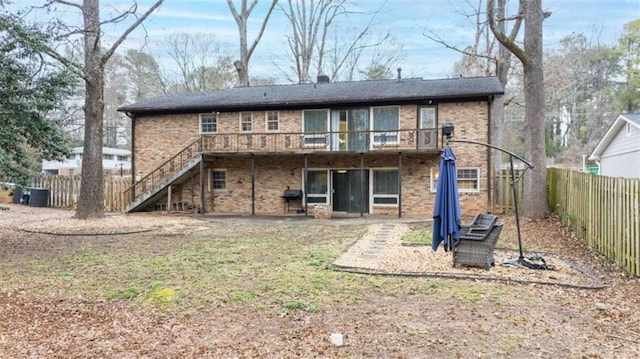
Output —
<point x="154" y="186"/>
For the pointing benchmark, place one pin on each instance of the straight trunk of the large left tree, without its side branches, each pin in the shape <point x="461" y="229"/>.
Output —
<point x="91" y="199"/>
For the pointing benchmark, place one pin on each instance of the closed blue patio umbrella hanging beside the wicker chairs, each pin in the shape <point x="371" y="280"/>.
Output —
<point x="446" y="211"/>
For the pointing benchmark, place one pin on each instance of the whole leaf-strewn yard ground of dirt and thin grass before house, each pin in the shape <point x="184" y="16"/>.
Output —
<point x="186" y="286"/>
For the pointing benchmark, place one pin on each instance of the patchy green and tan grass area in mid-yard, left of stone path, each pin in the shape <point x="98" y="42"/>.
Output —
<point x="281" y="269"/>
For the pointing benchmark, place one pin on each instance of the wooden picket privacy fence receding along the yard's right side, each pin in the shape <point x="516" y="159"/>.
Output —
<point x="602" y="210"/>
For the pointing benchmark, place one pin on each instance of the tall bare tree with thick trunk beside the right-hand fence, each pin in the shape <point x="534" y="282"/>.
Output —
<point x="530" y="56"/>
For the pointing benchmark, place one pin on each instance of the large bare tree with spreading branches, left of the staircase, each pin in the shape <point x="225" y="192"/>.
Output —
<point x="91" y="201"/>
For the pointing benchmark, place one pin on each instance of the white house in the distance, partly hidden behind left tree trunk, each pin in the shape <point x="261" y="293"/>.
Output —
<point x="114" y="161"/>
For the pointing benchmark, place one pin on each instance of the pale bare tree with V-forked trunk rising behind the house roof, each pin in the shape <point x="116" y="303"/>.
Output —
<point x="242" y="17"/>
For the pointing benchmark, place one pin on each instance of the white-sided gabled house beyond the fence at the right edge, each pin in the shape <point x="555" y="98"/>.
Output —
<point x="618" y="153"/>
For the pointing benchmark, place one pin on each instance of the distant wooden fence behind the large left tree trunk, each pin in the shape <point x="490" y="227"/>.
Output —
<point x="65" y="190"/>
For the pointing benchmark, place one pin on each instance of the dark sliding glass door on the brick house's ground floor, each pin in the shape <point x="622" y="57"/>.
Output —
<point x="348" y="192"/>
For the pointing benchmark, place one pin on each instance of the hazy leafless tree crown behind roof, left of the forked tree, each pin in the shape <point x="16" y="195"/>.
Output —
<point x="202" y="63"/>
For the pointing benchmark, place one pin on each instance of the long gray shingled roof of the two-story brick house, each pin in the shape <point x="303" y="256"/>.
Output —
<point x="320" y="94"/>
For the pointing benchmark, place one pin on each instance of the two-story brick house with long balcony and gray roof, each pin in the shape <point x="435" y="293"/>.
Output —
<point x="366" y="147"/>
